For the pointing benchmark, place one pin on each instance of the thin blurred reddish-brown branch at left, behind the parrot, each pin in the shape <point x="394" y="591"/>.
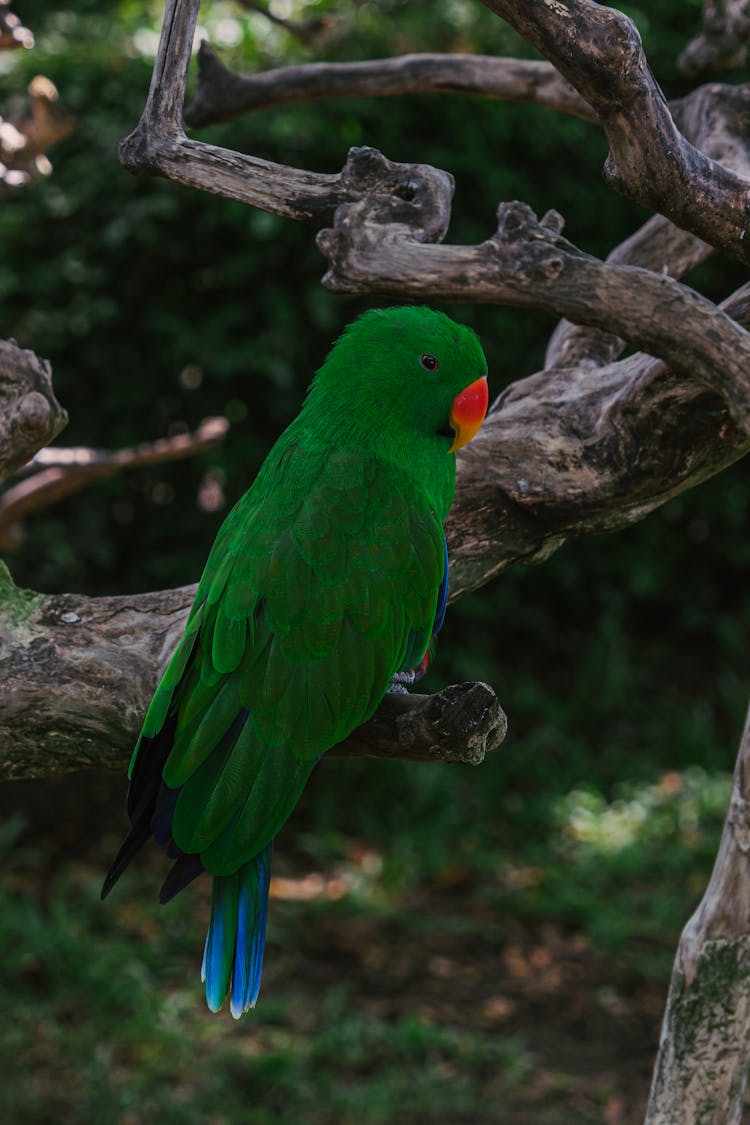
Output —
<point x="83" y="467"/>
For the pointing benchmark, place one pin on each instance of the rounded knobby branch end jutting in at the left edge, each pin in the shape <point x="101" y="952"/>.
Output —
<point x="31" y="416"/>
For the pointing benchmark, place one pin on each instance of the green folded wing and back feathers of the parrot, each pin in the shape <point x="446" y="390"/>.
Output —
<point x="322" y="582"/>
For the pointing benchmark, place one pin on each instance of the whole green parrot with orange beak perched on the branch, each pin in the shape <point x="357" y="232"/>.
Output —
<point x="323" y="590"/>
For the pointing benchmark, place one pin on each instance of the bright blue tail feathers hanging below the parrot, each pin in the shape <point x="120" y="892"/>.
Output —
<point x="233" y="957"/>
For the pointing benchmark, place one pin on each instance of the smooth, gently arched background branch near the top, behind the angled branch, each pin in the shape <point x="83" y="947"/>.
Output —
<point x="223" y="95"/>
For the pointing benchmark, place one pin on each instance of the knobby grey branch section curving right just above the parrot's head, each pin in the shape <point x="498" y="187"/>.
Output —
<point x="529" y="264"/>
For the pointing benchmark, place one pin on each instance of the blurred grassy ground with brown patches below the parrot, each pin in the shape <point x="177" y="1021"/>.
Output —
<point x="503" y="987"/>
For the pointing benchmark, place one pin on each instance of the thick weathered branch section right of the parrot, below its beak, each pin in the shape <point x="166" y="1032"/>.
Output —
<point x="568" y="453"/>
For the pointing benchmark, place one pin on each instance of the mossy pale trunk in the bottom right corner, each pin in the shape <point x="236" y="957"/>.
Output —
<point x="702" y="1067"/>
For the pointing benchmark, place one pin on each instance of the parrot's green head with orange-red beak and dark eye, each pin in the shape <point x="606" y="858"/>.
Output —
<point x="409" y="374"/>
